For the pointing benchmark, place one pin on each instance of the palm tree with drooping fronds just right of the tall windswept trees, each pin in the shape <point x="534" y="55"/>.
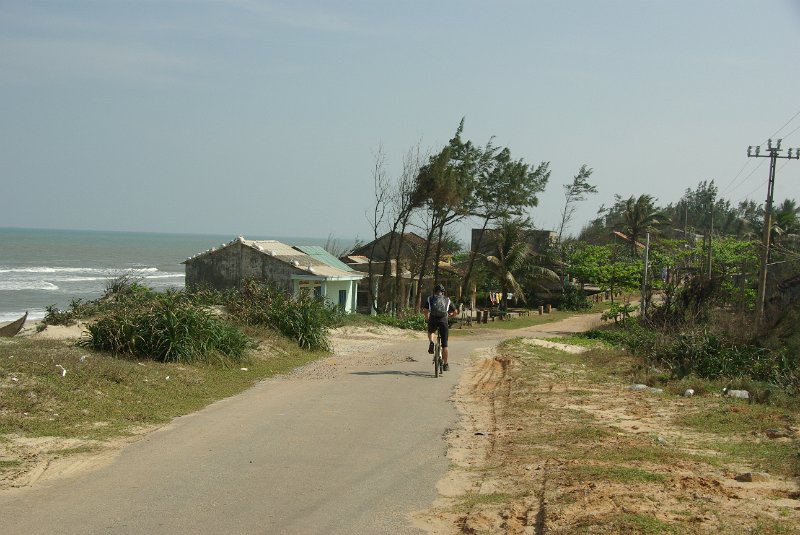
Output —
<point x="512" y="258"/>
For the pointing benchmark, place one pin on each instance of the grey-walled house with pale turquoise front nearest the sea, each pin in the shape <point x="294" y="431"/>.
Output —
<point x="292" y="268"/>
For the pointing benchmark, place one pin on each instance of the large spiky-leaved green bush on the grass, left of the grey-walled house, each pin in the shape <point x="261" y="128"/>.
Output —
<point x="168" y="328"/>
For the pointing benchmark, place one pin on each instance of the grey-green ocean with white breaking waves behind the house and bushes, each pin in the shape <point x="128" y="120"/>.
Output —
<point x="40" y="268"/>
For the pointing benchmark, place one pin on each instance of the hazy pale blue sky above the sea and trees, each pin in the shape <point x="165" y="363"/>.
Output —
<point x="248" y="117"/>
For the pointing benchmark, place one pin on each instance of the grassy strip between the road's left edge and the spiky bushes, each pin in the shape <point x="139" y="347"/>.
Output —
<point x="103" y="396"/>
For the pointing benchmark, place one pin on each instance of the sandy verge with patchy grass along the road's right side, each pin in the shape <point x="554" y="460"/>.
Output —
<point x="570" y="449"/>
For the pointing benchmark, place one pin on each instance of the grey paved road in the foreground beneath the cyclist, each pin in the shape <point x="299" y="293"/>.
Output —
<point x="351" y="454"/>
